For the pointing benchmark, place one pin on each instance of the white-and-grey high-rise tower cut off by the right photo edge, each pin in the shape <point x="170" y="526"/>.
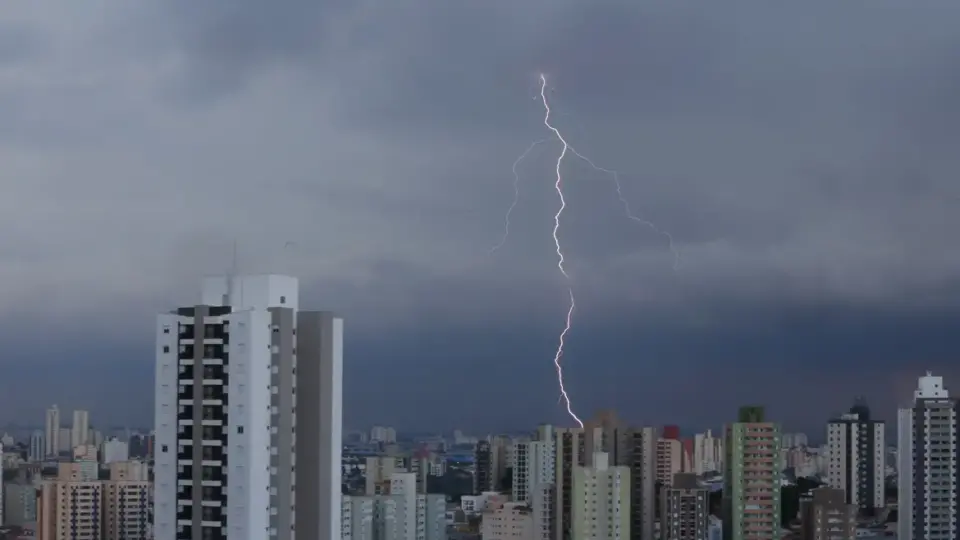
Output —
<point x="928" y="477"/>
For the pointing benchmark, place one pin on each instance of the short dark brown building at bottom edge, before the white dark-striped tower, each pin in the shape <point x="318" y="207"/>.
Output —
<point x="825" y="515"/>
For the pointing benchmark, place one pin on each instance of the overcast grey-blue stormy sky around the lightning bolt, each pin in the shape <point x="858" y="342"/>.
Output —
<point x="803" y="158"/>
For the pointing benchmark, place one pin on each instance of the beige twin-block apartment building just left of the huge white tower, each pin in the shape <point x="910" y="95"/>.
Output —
<point x="75" y="507"/>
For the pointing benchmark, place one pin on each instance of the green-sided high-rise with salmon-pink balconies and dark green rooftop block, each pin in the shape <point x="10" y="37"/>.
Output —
<point x="751" y="478"/>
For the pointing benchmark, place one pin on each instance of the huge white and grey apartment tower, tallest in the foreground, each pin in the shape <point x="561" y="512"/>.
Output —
<point x="240" y="454"/>
